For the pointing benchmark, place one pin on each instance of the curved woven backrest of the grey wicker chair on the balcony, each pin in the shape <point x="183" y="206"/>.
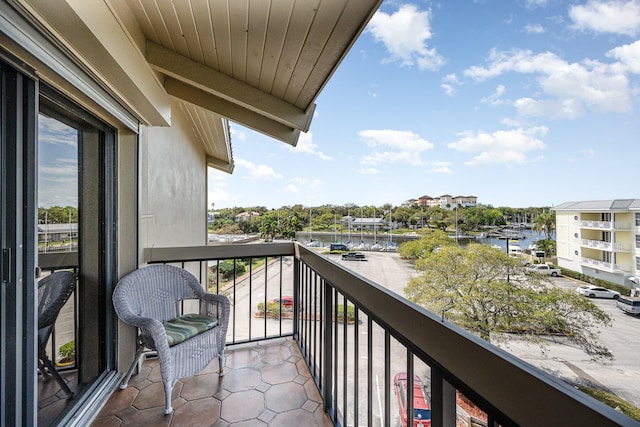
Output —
<point x="154" y="292"/>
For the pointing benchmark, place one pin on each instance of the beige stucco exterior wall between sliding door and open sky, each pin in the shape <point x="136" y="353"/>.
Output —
<point x="173" y="186"/>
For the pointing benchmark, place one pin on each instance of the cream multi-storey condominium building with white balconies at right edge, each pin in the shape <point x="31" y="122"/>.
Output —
<point x="600" y="238"/>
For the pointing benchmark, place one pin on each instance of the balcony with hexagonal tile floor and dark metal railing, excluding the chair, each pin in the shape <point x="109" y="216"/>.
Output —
<point x="330" y="359"/>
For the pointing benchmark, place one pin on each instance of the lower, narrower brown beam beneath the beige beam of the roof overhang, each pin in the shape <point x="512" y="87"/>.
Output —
<point x="234" y="112"/>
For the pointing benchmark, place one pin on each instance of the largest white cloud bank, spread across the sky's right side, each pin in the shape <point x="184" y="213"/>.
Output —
<point x="571" y="88"/>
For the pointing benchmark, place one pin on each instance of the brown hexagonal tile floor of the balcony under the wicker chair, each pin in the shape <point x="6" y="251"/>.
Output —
<point x="265" y="384"/>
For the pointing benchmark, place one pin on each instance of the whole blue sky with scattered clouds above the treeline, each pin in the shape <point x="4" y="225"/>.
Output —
<point x="519" y="103"/>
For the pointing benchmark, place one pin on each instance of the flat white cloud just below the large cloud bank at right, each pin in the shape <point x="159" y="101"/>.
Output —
<point x="501" y="147"/>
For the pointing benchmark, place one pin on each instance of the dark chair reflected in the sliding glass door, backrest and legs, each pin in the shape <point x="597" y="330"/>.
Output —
<point x="53" y="292"/>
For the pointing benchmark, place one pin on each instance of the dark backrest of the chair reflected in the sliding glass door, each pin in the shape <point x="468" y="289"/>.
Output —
<point x="53" y="292"/>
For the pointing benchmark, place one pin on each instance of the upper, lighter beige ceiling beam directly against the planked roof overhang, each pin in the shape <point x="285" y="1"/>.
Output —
<point x="222" y="86"/>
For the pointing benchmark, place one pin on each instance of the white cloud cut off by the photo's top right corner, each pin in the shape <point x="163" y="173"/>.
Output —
<point x="615" y="16"/>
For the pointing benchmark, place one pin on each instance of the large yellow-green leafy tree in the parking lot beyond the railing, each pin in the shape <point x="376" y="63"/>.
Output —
<point x="485" y="291"/>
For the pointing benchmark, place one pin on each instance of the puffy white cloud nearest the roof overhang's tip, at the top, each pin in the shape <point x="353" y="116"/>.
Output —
<point x="405" y="33"/>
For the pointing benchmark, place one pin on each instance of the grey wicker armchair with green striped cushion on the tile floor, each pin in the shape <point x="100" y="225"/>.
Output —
<point x="151" y="299"/>
